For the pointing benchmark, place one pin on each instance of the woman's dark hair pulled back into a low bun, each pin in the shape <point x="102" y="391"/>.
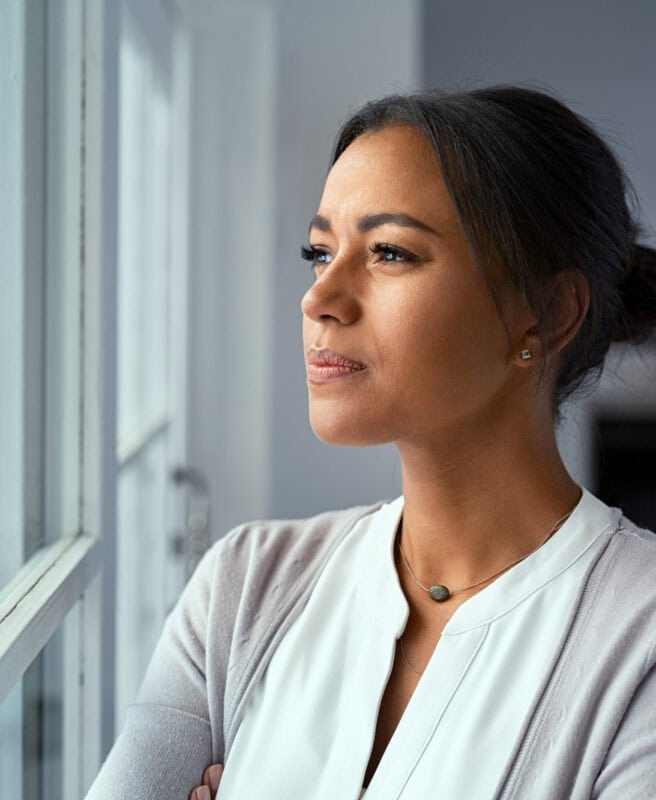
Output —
<point x="537" y="192"/>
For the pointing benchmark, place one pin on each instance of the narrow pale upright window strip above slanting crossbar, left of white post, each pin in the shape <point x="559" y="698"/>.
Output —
<point x="63" y="276"/>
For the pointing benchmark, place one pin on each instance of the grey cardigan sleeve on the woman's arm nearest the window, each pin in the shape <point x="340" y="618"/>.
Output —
<point x="166" y="742"/>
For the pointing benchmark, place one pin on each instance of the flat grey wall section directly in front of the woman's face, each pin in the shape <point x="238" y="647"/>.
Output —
<point x="332" y="58"/>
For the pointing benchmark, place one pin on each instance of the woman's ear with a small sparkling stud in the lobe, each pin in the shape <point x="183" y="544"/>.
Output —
<point x="567" y="303"/>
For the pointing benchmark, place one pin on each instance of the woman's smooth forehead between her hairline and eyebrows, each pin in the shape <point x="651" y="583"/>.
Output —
<point x="393" y="170"/>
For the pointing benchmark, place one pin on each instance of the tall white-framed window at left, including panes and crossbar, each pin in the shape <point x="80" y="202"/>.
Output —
<point x="92" y="348"/>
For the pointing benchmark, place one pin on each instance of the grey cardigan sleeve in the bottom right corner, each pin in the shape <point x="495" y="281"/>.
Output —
<point x="629" y="770"/>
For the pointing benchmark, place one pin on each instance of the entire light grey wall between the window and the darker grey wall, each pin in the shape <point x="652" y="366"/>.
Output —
<point x="271" y="81"/>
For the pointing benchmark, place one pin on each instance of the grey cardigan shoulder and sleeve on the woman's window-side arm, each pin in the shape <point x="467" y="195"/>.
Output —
<point x="215" y="646"/>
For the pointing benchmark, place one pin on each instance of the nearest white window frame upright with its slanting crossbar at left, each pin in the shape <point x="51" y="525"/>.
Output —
<point x="36" y="601"/>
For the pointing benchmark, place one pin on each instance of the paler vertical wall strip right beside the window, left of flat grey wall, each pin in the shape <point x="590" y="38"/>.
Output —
<point x="233" y="51"/>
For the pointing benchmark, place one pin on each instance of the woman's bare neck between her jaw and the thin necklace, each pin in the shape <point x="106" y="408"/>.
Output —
<point x="475" y="503"/>
